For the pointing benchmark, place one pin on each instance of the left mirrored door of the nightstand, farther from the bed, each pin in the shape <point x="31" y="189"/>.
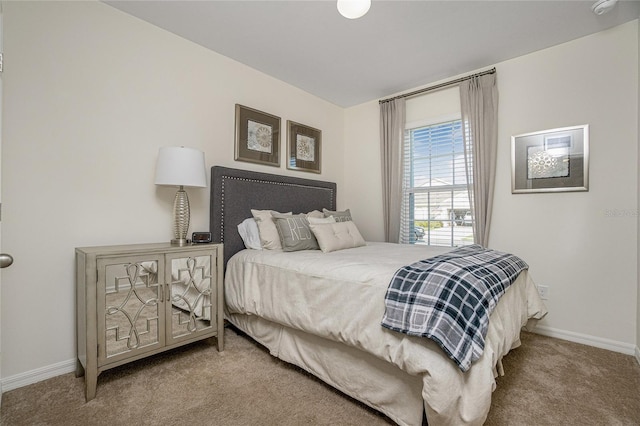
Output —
<point x="130" y="309"/>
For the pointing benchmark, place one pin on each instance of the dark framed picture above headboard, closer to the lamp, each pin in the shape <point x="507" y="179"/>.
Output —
<point x="257" y="136"/>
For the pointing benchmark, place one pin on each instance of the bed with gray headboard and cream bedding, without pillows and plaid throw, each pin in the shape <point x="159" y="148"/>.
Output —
<point x="322" y="311"/>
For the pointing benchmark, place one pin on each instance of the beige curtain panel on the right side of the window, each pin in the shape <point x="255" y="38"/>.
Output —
<point x="479" y="103"/>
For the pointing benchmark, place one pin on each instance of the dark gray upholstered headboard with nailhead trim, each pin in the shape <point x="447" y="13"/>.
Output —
<point x="235" y="192"/>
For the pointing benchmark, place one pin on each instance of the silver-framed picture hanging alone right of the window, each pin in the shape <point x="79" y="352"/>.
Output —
<point x="555" y="160"/>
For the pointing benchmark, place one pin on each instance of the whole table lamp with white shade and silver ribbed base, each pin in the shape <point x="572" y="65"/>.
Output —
<point x="180" y="166"/>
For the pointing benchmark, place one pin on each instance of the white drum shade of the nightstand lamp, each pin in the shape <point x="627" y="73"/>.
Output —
<point x="180" y="166"/>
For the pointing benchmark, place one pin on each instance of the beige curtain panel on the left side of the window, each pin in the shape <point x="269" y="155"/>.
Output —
<point x="392" y="121"/>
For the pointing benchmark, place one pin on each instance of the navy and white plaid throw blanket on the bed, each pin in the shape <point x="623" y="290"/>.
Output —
<point x="448" y="298"/>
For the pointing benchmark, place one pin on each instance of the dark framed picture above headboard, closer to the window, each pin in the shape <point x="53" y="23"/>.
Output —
<point x="304" y="147"/>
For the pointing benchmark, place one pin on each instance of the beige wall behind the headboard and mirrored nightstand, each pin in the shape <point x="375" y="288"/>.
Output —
<point x="90" y="94"/>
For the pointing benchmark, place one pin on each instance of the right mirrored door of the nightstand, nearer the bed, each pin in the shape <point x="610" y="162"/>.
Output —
<point x="192" y="299"/>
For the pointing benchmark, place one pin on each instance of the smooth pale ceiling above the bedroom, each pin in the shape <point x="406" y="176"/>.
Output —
<point x="398" y="45"/>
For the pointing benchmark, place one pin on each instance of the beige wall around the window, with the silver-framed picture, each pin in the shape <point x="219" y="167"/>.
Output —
<point x="582" y="245"/>
